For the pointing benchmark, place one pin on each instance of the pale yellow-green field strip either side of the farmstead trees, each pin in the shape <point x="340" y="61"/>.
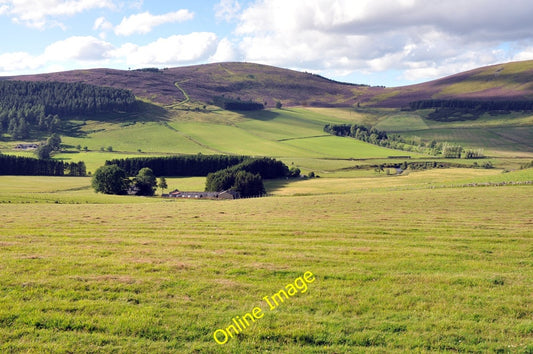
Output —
<point x="77" y="190"/>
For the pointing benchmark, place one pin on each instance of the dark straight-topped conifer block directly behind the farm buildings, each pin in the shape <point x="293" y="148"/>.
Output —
<point x="182" y="165"/>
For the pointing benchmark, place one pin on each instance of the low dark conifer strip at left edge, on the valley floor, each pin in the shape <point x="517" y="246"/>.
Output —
<point x="27" y="166"/>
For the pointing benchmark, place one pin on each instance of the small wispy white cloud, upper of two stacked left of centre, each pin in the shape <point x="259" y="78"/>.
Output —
<point x="144" y="22"/>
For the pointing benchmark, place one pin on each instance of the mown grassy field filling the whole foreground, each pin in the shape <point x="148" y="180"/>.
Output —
<point x="446" y="269"/>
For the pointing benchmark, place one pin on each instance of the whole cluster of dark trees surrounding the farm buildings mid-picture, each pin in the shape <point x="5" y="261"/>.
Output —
<point x="240" y="173"/>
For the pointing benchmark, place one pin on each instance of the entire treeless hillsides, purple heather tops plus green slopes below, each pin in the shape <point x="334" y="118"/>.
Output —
<point x="181" y="120"/>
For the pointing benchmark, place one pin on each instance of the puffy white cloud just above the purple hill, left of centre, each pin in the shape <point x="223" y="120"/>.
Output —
<point x="174" y="50"/>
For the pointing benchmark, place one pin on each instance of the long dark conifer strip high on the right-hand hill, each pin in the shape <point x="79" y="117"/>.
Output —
<point x="499" y="105"/>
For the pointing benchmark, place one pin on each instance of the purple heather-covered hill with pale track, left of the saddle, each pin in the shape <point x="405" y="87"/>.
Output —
<point x="202" y="83"/>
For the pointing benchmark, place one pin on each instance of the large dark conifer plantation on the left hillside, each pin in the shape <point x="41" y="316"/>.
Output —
<point x="26" y="106"/>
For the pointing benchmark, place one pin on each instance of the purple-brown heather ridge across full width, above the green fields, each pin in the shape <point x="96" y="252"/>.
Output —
<point x="268" y="85"/>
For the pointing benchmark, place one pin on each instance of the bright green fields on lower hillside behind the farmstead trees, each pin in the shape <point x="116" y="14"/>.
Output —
<point x="293" y="134"/>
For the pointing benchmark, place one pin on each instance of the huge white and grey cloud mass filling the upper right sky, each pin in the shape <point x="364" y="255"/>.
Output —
<point x="423" y="37"/>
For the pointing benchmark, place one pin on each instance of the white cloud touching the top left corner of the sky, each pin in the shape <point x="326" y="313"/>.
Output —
<point x="38" y="14"/>
